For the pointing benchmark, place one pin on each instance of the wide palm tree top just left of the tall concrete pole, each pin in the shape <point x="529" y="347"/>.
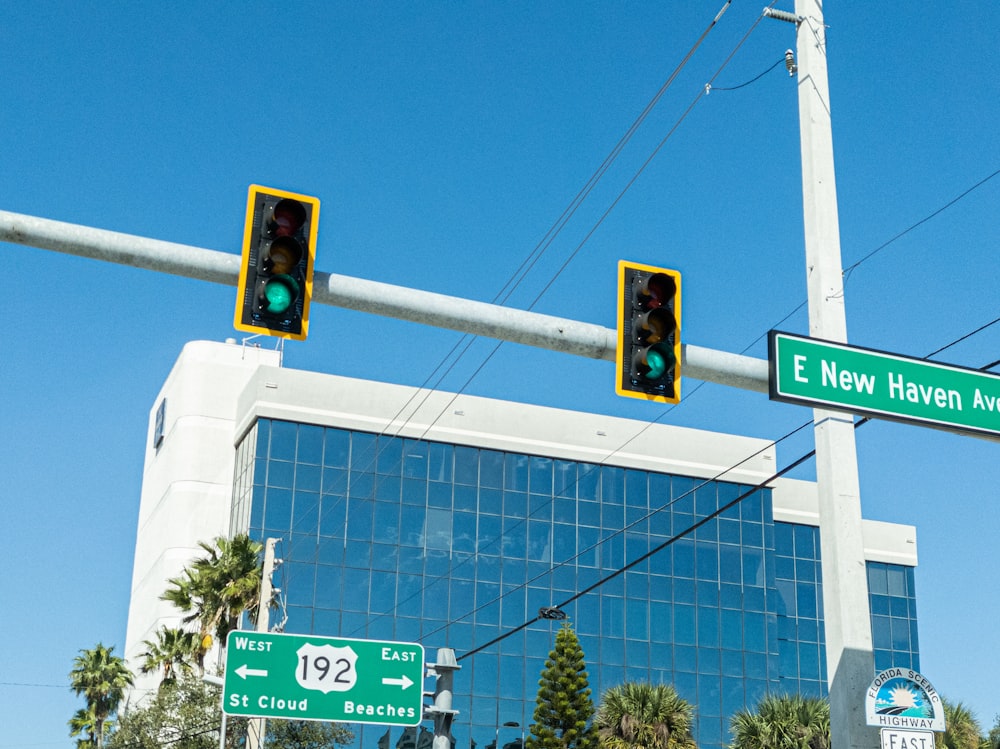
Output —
<point x="783" y="722"/>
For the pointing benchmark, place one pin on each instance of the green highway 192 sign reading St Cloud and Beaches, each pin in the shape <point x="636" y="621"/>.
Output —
<point x="306" y="677"/>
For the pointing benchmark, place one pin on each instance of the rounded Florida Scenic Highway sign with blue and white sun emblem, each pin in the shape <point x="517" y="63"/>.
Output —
<point x="902" y="698"/>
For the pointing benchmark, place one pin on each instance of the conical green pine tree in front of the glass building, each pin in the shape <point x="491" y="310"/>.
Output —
<point x="564" y="707"/>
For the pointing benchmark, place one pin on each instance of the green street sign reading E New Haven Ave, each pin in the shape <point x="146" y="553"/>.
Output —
<point x="821" y="374"/>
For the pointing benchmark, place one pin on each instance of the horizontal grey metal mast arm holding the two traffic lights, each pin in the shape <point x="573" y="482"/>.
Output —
<point x="477" y="318"/>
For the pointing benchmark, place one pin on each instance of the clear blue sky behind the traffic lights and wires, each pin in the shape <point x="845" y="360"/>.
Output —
<point x="444" y="139"/>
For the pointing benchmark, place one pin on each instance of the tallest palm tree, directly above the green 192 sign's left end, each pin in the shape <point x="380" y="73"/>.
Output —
<point x="216" y="589"/>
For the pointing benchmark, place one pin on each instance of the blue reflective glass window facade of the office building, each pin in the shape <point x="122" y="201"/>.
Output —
<point x="456" y="546"/>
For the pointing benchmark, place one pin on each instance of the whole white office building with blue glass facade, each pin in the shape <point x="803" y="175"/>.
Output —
<point x="451" y="521"/>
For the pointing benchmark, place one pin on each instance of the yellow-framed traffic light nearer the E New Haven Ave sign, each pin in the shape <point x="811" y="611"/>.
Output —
<point x="648" y="364"/>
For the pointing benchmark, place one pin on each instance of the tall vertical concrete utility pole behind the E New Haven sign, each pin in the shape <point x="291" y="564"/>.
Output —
<point x="846" y="615"/>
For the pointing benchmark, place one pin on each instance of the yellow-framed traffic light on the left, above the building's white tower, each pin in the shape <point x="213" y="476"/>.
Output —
<point x="279" y="250"/>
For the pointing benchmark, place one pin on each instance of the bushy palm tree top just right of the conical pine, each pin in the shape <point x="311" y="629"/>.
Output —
<point x="638" y="715"/>
